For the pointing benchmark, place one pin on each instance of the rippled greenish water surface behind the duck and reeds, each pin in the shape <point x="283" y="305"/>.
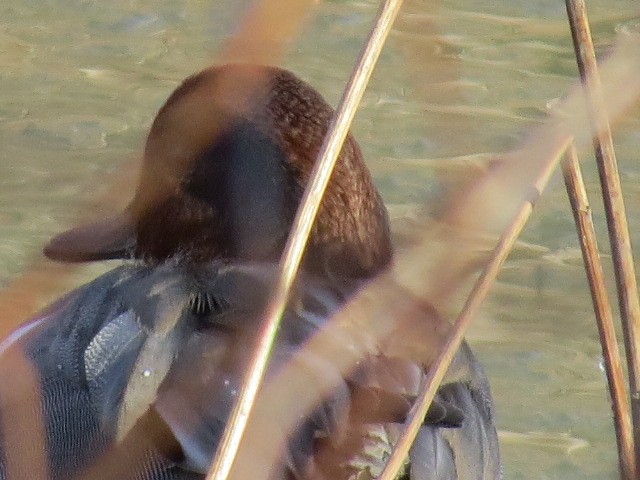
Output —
<point x="82" y="81"/>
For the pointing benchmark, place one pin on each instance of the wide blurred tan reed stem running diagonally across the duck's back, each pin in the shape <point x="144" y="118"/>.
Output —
<point x="418" y="273"/>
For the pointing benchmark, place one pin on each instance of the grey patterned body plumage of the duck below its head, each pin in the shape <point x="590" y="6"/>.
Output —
<point x="112" y="411"/>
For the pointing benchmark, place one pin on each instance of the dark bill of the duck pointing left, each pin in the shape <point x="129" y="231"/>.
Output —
<point x="111" y="238"/>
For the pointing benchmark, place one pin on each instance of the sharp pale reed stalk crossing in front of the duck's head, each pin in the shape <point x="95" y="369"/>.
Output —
<point x="297" y="240"/>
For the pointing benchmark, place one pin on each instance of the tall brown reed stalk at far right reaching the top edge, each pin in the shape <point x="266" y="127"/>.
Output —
<point x="613" y="203"/>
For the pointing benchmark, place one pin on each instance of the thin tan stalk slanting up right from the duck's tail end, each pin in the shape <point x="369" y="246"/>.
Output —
<point x="477" y="295"/>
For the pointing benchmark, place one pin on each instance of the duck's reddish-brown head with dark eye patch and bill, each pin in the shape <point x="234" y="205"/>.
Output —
<point x="225" y="166"/>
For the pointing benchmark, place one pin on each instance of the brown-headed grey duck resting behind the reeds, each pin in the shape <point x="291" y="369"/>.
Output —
<point x="138" y="370"/>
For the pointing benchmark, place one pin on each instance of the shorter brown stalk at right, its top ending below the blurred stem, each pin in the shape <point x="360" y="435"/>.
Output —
<point x="602" y="308"/>
